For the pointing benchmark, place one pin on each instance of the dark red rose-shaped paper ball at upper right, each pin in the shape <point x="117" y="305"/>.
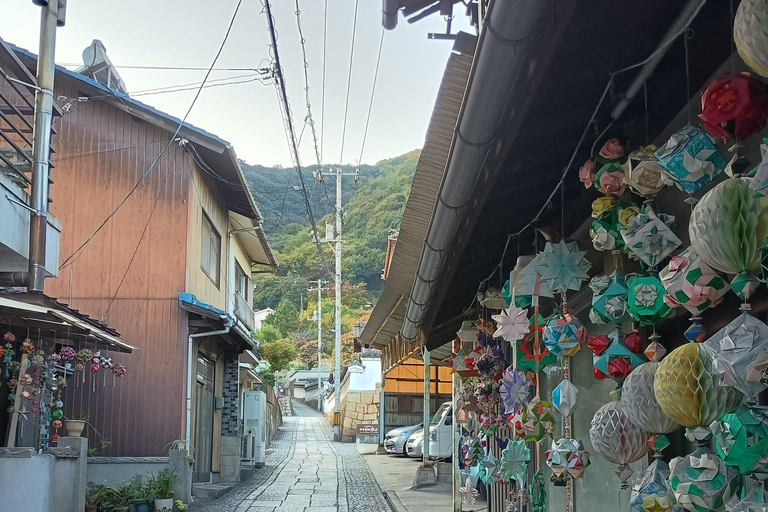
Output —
<point x="734" y="106"/>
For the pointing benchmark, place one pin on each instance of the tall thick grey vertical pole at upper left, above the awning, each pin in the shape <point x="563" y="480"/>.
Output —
<point x="41" y="143"/>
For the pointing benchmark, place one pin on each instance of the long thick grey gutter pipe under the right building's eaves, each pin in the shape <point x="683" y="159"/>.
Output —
<point x="508" y="30"/>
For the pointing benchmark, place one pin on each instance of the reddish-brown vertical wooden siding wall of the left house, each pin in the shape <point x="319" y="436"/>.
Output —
<point x="101" y="153"/>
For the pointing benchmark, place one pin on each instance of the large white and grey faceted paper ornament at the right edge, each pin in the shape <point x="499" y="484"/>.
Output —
<point x="733" y="348"/>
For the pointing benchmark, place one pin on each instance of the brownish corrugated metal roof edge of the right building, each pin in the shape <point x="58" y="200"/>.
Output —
<point x="387" y="317"/>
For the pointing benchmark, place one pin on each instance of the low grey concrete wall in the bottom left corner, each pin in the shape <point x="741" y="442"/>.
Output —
<point x="51" y="481"/>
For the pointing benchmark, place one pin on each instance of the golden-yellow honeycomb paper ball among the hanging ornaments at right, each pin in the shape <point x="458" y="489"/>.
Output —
<point x="688" y="392"/>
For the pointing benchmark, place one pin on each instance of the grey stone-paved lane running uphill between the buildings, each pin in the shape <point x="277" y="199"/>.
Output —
<point x="306" y="471"/>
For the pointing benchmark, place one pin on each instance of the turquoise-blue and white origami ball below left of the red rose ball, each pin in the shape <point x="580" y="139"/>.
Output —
<point x="690" y="159"/>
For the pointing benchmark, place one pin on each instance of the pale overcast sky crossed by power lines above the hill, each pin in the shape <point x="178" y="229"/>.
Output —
<point x="188" y="34"/>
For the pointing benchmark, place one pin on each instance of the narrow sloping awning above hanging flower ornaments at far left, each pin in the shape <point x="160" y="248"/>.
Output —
<point x="55" y="320"/>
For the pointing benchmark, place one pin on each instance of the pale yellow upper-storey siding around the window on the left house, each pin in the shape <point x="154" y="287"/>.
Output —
<point x="203" y="195"/>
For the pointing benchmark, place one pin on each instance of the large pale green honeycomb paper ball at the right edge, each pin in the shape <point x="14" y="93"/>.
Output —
<point x="728" y="227"/>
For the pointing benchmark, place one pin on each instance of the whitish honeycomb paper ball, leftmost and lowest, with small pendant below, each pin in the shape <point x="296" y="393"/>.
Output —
<point x="617" y="438"/>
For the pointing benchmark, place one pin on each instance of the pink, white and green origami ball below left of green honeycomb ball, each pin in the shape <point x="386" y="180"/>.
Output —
<point x="691" y="283"/>
